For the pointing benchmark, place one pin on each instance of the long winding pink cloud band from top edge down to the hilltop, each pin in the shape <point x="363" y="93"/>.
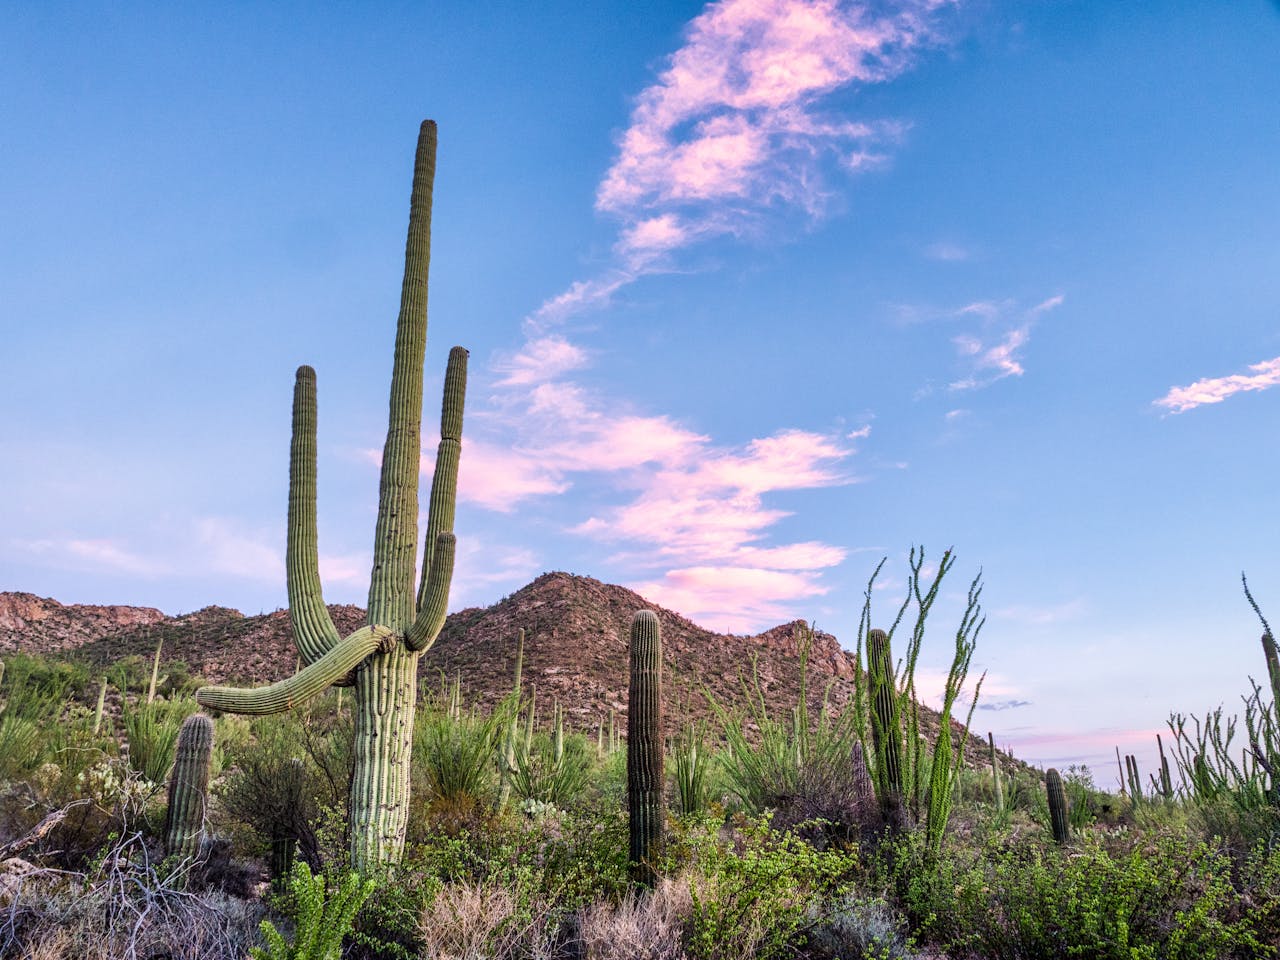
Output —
<point x="737" y="138"/>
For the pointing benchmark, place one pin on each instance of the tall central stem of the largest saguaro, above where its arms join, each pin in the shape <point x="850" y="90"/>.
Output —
<point x="391" y="589"/>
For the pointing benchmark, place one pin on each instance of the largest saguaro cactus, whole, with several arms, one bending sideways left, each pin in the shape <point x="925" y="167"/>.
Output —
<point x="380" y="661"/>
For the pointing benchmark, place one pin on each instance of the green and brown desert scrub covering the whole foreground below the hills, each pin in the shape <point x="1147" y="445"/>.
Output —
<point x="778" y="844"/>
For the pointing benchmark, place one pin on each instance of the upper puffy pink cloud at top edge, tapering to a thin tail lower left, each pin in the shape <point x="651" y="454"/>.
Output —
<point x="734" y="130"/>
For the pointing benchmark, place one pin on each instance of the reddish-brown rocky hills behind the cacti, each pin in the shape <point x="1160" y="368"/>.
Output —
<point x="575" y="650"/>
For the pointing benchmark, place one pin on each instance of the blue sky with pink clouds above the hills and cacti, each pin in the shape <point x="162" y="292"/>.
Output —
<point x="756" y="294"/>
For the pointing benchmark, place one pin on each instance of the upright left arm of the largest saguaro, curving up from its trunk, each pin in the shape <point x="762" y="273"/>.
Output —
<point x="314" y="632"/>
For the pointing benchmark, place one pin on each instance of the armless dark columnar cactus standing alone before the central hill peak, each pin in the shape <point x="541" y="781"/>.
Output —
<point x="646" y="746"/>
